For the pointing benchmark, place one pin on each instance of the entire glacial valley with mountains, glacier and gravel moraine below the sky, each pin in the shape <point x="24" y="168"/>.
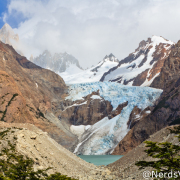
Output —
<point x="108" y="109"/>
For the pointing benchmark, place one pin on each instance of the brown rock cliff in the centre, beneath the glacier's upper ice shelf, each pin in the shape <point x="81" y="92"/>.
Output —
<point x="87" y="111"/>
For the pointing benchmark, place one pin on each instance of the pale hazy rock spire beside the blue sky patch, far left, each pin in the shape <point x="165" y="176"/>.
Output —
<point x="8" y="36"/>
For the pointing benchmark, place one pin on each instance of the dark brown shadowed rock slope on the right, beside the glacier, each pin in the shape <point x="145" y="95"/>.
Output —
<point x="167" y="108"/>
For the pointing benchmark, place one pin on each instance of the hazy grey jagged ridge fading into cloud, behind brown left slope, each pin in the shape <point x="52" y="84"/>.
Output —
<point x="59" y="62"/>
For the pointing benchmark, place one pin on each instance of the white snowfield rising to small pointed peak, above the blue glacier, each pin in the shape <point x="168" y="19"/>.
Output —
<point x="93" y="74"/>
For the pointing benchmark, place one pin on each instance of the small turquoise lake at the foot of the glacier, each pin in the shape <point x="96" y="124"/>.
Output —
<point x="100" y="159"/>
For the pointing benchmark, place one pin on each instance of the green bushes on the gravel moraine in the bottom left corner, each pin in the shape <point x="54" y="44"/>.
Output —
<point x="14" y="166"/>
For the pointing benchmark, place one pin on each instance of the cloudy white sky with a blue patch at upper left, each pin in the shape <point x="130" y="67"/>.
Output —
<point x="90" y="29"/>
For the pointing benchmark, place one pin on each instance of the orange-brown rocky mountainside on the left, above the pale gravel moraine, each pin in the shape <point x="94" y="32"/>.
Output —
<point x="28" y="94"/>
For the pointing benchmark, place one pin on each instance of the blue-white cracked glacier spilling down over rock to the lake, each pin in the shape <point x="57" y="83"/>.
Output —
<point x="102" y="137"/>
